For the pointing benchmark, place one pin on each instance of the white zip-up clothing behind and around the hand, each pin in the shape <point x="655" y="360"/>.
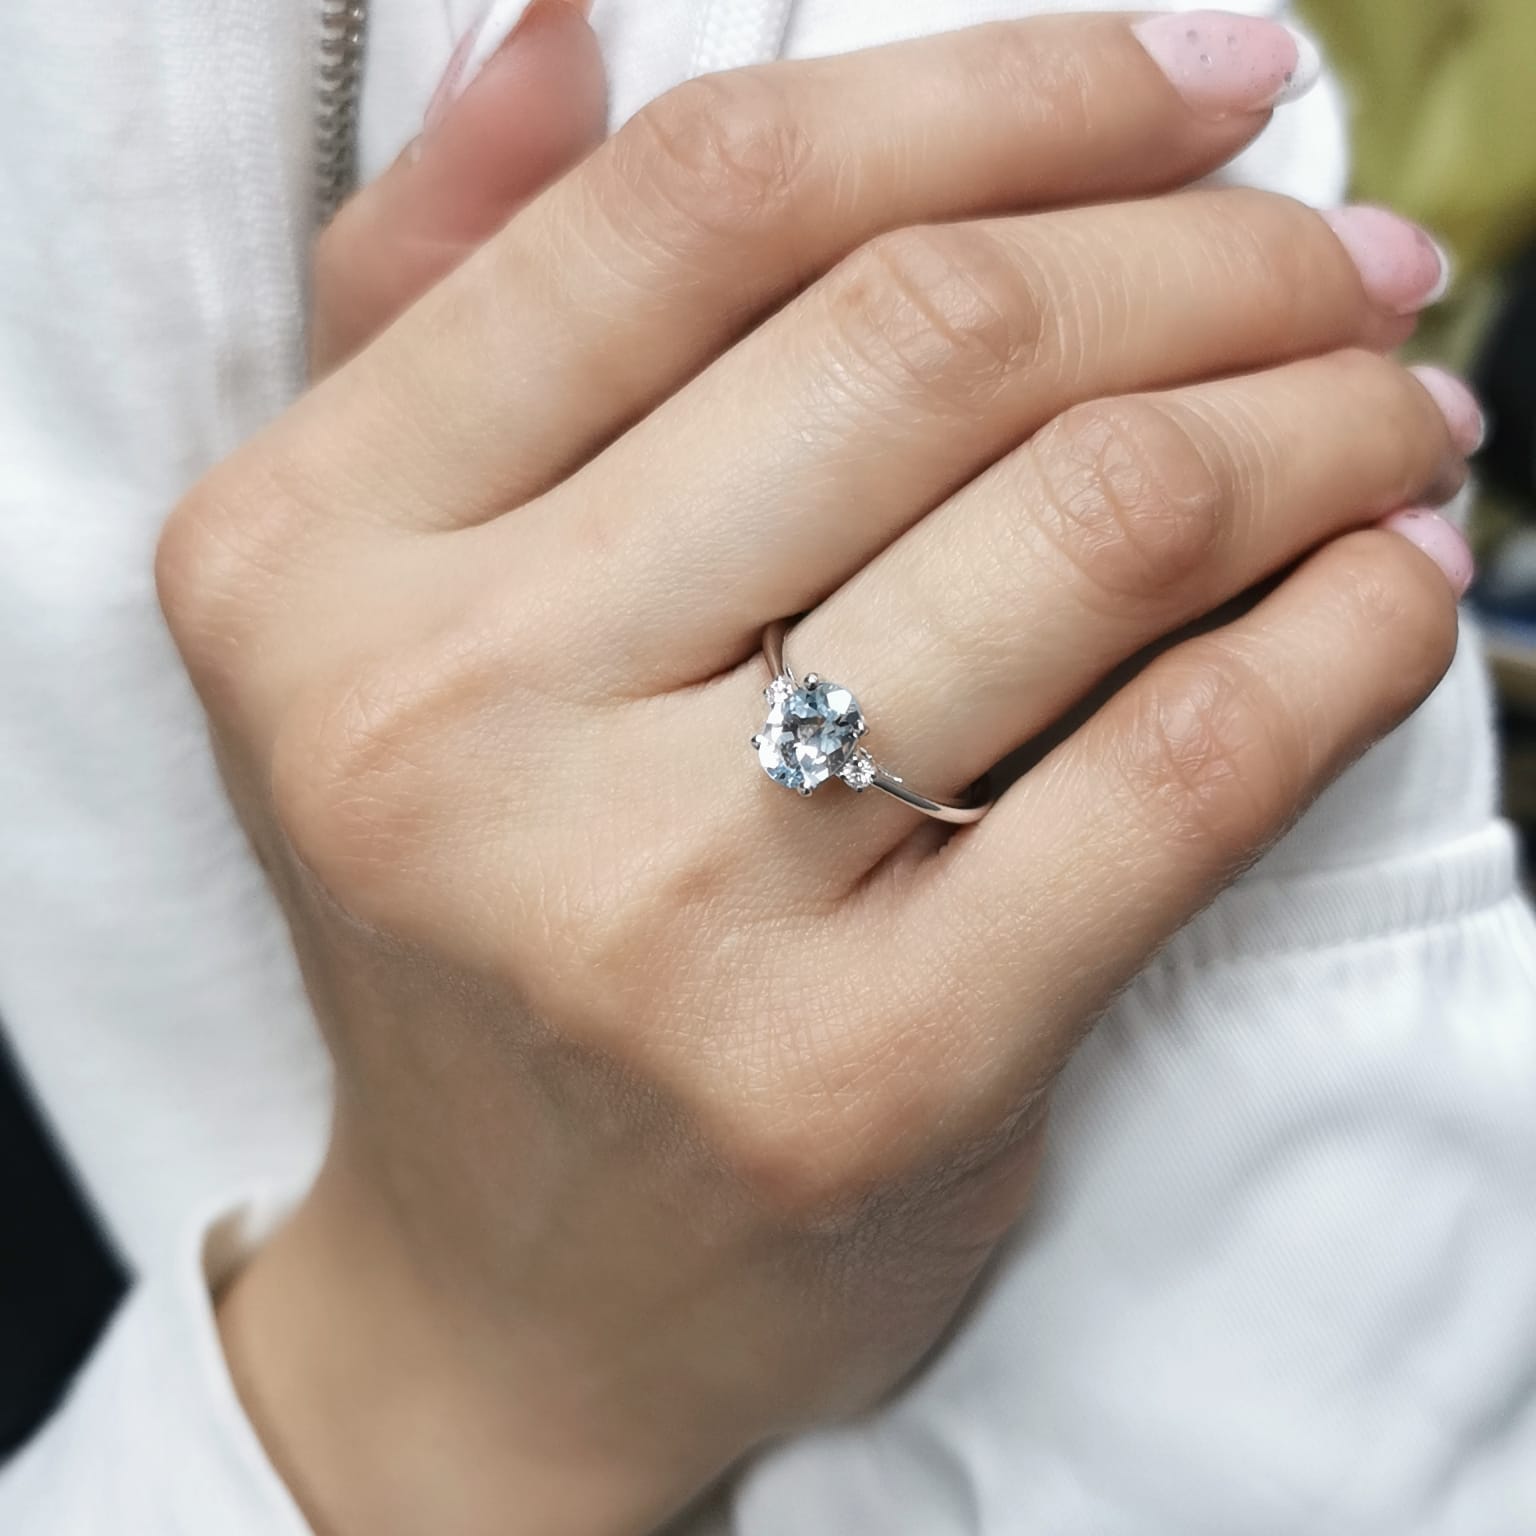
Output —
<point x="1282" y="1276"/>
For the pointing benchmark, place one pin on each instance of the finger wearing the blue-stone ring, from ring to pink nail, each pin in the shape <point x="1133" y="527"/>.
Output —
<point x="1124" y="521"/>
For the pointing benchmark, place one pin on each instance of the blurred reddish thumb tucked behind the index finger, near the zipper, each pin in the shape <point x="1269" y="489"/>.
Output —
<point x="521" y="102"/>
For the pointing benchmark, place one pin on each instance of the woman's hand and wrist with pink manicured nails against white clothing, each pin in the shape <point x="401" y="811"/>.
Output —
<point x="674" y="1111"/>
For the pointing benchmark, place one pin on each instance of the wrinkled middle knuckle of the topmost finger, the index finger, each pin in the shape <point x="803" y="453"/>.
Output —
<point x="721" y="154"/>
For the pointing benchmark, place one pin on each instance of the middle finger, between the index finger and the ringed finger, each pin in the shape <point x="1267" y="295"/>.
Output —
<point x="929" y="356"/>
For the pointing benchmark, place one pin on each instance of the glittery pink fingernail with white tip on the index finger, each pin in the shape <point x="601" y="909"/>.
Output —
<point x="1223" y="64"/>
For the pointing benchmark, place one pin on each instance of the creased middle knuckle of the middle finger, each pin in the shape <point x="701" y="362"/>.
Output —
<point x="945" y="313"/>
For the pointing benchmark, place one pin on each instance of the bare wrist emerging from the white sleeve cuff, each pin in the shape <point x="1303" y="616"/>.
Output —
<point x="388" y="1405"/>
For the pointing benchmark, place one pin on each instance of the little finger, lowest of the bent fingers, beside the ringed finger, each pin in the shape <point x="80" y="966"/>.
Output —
<point x="1176" y="786"/>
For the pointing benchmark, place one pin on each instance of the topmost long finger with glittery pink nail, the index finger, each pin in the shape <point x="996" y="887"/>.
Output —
<point x="730" y="193"/>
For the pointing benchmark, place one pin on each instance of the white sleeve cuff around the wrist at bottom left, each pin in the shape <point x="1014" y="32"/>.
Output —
<point x="153" y="1438"/>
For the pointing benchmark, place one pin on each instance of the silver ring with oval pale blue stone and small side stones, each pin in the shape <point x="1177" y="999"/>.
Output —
<point x="812" y="735"/>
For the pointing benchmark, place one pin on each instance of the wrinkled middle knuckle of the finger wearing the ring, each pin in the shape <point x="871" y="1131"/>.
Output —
<point x="1131" y="498"/>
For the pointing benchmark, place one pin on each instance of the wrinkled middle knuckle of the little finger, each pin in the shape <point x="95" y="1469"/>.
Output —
<point x="1213" y="756"/>
